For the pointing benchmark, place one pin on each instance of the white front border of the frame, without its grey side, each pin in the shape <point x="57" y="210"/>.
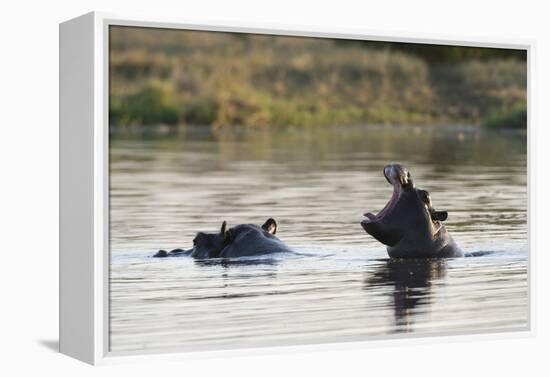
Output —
<point x="102" y="22"/>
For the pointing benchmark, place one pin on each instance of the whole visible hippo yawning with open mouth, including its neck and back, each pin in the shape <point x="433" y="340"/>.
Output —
<point x="408" y="224"/>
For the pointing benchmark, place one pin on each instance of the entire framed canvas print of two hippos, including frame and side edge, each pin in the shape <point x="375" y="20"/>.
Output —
<point x="226" y="188"/>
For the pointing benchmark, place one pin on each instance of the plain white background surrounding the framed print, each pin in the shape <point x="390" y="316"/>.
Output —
<point x="29" y="189"/>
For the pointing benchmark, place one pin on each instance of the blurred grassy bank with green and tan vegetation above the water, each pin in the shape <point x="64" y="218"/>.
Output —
<point x="162" y="76"/>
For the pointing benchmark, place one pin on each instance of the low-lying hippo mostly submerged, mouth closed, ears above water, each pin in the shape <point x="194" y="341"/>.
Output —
<point x="240" y="241"/>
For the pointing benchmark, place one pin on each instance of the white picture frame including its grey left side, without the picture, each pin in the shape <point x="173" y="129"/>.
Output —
<point x="84" y="186"/>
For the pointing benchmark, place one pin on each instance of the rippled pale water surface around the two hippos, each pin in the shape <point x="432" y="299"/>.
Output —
<point x="316" y="183"/>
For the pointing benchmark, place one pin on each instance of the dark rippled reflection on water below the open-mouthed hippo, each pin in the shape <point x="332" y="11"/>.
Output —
<point x="411" y="280"/>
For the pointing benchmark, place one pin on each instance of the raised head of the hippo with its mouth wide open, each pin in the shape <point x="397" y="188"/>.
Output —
<point x="408" y="219"/>
